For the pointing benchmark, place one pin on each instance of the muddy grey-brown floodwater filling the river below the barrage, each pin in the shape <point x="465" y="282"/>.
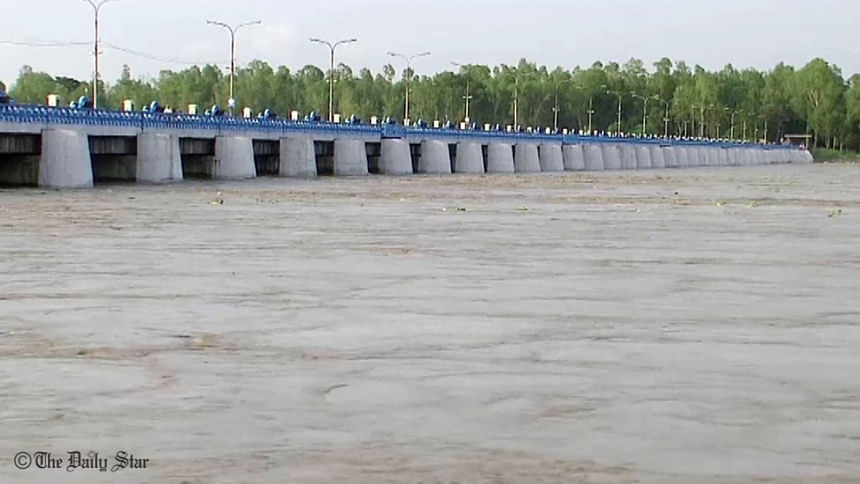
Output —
<point x="696" y="325"/>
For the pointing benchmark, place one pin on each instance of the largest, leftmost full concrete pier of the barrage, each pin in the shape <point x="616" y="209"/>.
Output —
<point x="65" y="160"/>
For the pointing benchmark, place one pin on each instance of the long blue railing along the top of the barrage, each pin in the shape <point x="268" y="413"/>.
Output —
<point x="27" y="114"/>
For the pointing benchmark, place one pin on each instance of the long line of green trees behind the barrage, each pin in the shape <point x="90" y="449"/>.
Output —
<point x="672" y="97"/>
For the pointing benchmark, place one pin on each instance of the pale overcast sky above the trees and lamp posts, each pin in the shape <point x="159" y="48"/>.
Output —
<point x="712" y="33"/>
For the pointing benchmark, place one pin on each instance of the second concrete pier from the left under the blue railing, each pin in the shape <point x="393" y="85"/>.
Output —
<point x="159" y="158"/>
